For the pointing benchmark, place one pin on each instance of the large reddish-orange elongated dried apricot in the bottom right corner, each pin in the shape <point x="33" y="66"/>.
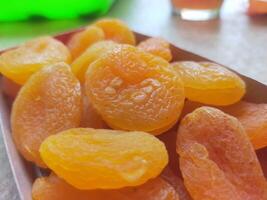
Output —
<point x="217" y="160"/>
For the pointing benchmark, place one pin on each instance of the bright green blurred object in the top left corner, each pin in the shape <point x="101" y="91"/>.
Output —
<point x="14" y="10"/>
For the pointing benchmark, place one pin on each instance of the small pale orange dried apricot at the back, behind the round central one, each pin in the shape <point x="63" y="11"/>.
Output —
<point x="158" y="47"/>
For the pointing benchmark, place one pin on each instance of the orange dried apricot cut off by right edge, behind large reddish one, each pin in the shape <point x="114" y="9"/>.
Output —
<point x="253" y="117"/>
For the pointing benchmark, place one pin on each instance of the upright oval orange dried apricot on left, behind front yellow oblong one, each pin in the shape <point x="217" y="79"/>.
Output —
<point x="49" y="102"/>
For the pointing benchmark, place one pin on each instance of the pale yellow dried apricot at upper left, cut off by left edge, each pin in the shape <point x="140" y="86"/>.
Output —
<point x="20" y="63"/>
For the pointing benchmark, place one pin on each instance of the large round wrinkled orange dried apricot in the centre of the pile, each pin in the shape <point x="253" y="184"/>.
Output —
<point x="135" y="90"/>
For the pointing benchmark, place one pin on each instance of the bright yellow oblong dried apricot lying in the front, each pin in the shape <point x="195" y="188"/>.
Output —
<point x="108" y="159"/>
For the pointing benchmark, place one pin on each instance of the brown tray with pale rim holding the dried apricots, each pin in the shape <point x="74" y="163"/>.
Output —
<point x="24" y="172"/>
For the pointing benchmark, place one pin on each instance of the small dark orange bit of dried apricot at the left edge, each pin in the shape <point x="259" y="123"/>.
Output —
<point x="10" y="88"/>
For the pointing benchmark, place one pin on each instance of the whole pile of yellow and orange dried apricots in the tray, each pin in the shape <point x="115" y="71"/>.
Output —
<point x="101" y="112"/>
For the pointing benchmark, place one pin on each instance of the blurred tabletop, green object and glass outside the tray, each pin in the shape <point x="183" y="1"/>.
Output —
<point x="230" y="32"/>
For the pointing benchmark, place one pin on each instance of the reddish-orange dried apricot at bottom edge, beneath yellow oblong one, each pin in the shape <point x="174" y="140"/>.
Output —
<point x="54" y="188"/>
